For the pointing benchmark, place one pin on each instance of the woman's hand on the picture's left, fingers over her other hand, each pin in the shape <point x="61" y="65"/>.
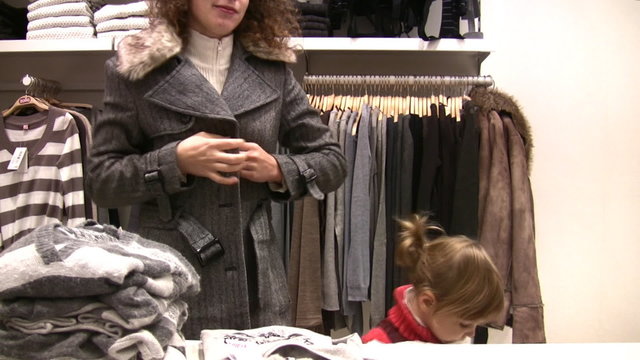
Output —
<point x="205" y="154"/>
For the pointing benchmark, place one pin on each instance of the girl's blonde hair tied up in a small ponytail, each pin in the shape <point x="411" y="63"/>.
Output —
<point x="458" y="271"/>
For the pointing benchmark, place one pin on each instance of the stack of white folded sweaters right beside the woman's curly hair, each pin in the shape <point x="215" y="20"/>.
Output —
<point x="119" y="20"/>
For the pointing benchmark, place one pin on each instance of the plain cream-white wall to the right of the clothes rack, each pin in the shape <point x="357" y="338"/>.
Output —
<point x="574" y="67"/>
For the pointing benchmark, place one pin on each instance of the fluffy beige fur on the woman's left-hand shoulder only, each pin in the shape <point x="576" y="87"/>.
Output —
<point x="142" y="52"/>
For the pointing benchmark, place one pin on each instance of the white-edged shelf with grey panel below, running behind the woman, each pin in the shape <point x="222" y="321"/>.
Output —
<point x="78" y="64"/>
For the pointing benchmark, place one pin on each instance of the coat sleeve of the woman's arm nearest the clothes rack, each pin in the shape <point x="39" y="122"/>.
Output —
<point x="310" y="144"/>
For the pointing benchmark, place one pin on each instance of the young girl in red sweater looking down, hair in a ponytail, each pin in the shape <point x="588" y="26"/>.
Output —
<point x="454" y="287"/>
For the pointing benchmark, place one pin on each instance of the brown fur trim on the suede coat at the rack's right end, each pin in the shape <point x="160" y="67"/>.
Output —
<point x="492" y="99"/>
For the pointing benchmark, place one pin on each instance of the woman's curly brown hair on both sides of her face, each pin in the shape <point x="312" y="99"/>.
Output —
<point x="267" y="23"/>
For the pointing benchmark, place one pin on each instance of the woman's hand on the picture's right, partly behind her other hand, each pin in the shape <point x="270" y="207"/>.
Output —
<point x="259" y="166"/>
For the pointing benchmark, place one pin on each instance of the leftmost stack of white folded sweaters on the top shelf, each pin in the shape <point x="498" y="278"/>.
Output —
<point x="61" y="19"/>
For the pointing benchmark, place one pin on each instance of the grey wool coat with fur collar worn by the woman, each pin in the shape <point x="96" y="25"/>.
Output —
<point x="154" y="97"/>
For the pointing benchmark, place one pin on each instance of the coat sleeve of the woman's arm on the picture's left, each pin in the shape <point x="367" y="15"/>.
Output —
<point x="118" y="163"/>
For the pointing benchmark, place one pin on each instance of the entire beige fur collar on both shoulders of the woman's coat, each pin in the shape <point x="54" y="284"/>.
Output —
<point x="142" y="52"/>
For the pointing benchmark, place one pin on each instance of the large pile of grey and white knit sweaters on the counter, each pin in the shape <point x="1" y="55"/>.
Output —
<point x="91" y="292"/>
